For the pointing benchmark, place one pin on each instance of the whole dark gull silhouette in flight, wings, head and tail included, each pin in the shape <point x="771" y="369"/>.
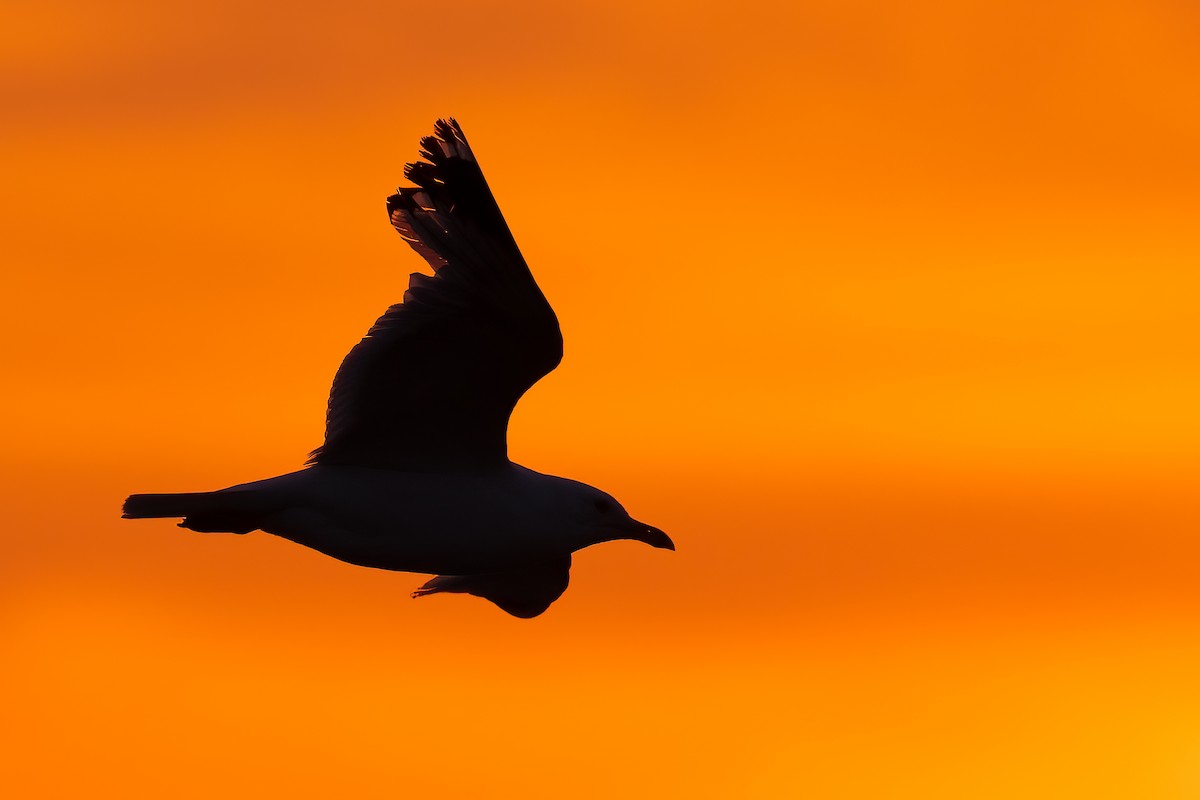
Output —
<point x="415" y="473"/>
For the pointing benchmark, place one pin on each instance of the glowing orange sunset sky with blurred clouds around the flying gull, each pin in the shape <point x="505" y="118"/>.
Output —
<point x="887" y="312"/>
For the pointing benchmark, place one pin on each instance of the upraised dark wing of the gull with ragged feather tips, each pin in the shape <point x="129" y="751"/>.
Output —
<point x="433" y="384"/>
